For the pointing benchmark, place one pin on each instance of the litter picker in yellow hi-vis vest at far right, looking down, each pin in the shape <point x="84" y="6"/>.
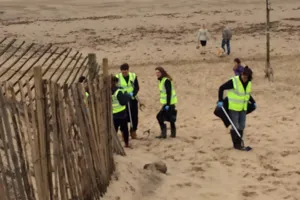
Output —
<point x="239" y="95"/>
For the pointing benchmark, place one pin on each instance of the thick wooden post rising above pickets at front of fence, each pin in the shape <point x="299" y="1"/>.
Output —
<point x="40" y="140"/>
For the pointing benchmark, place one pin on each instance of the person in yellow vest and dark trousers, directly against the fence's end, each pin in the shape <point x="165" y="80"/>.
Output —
<point x="119" y="102"/>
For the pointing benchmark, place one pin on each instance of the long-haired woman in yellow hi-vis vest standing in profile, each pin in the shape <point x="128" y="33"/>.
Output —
<point x="168" y="99"/>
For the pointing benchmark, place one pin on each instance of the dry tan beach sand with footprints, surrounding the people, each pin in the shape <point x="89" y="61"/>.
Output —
<point x="201" y="163"/>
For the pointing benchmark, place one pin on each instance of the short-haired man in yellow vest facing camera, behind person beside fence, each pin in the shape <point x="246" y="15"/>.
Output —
<point x="128" y="82"/>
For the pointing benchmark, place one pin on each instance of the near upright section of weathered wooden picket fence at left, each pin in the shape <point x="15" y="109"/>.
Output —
<point x="54" y="145"/>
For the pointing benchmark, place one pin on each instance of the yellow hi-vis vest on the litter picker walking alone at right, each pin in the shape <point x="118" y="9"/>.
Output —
<point x="238" y="97"/>
